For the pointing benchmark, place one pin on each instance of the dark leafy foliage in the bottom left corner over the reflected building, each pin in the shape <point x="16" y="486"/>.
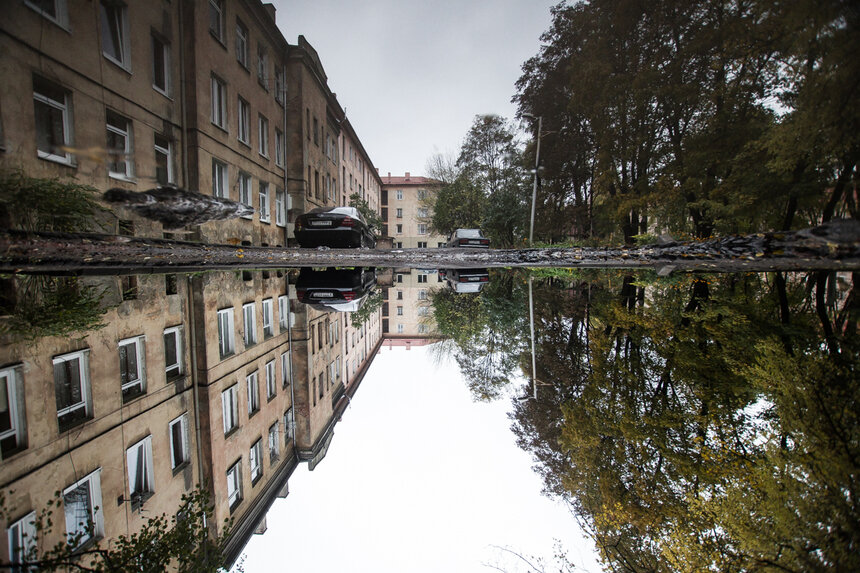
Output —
<point x="180" y="542"/>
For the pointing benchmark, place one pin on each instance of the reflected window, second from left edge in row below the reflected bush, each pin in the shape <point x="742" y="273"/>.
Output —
<point x="72" y="388"/>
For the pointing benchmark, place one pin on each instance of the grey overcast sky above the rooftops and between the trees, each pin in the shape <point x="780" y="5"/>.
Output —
<point x="412" y="75"/>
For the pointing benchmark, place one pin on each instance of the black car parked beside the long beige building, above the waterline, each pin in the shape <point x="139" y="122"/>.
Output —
<point x="333" y="227"/>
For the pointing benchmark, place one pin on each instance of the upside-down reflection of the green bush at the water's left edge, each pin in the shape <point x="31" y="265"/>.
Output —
<point x="52" y="306"/>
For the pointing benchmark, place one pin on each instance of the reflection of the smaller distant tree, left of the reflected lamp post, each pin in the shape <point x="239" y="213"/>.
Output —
<point x="487" y="331"/>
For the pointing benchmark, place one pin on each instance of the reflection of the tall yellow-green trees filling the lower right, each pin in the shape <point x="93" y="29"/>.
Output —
<point x="711" y="429"/>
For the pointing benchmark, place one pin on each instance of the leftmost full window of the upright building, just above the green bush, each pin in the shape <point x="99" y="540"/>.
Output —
<point x="53" y="111"/>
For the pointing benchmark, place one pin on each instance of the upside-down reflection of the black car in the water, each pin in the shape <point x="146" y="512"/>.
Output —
<point x="342" y="290"/>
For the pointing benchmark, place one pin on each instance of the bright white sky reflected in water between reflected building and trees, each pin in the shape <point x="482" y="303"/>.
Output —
<point x="418" y="478"/>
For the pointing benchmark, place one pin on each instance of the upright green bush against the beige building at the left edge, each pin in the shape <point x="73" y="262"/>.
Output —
<point x="34" y="204"/>
